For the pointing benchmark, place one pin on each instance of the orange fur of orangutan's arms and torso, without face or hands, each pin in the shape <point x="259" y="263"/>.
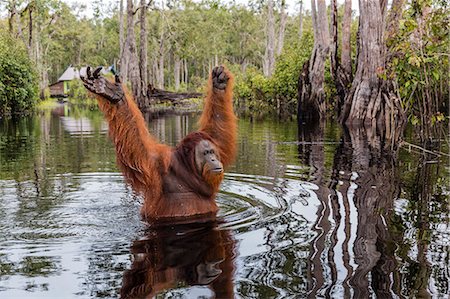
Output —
<point x="153" y="169"/>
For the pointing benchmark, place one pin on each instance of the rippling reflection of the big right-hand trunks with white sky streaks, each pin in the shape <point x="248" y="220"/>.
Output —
<point x="352" y="220"/>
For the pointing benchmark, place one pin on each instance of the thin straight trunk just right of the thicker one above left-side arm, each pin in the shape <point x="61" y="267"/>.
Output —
<point x="143" y="60"/>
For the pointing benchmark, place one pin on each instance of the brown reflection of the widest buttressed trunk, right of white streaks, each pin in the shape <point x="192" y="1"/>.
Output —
<point x="374" y="197"/>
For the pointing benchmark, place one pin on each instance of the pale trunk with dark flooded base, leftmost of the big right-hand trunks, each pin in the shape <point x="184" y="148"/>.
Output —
<point x="312" y="97"/>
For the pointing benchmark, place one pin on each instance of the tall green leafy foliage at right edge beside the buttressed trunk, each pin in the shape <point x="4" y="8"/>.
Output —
<point x="420" y="63"/>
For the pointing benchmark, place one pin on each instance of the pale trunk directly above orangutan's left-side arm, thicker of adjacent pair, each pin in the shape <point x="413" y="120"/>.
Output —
<point x="133" y="68"/>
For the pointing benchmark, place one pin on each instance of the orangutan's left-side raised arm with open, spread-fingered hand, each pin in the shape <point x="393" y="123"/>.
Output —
<point x="139" y="155"/>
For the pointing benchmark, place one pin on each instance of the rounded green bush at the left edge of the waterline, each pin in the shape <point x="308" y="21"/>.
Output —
<point x="18" y="80"/>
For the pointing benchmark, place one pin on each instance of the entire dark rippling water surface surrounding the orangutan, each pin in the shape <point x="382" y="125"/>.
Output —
<point x="315" y="212"/>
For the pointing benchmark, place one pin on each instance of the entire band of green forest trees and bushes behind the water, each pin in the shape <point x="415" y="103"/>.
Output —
<point x="382" y="63"/>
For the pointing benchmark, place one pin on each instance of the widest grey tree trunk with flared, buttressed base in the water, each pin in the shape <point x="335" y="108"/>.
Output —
<point x="371" y="100"/>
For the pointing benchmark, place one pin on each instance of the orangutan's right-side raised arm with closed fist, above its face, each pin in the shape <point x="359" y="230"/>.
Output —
<point x="218" y="119"/>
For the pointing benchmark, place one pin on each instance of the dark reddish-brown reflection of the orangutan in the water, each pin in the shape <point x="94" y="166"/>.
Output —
<point x="191" y="254"/>
